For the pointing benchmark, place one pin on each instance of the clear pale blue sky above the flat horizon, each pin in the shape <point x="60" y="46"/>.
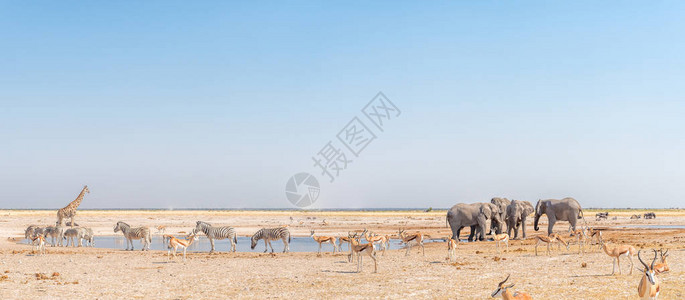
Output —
<point x="216" y="104"/>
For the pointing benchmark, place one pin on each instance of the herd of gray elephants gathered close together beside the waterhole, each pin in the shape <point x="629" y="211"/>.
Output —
<point x="501" y="212"/>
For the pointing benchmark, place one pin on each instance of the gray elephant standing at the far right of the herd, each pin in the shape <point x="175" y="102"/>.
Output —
<point x="567" y="209"/>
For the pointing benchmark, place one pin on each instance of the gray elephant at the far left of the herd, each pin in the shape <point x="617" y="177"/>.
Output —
<point x="475" y="216"/>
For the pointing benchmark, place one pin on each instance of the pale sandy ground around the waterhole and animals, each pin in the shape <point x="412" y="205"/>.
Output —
<point x="114" y="273"/>
